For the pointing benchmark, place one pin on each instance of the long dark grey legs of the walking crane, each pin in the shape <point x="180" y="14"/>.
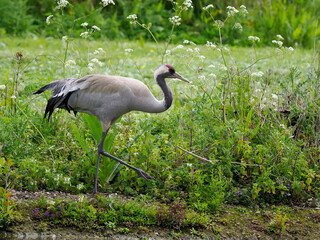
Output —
<point x="101" y="151"/>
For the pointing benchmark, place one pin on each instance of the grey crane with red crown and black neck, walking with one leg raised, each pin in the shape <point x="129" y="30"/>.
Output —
<point x="108" y="98"/>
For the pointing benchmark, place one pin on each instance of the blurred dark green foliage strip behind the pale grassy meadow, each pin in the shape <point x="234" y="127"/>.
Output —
<point x="296" y="19"/>
